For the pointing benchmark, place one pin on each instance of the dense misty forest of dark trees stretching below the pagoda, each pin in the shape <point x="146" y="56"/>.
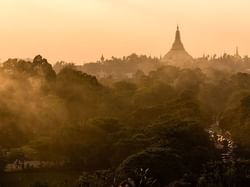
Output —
<point x="128" y="121"/>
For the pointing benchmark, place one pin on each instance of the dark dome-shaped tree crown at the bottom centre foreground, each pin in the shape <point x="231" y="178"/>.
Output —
<point x="161" y="161"/>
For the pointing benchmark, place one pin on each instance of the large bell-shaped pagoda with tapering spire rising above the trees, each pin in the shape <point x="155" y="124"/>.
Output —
<point x="178" y="56"/>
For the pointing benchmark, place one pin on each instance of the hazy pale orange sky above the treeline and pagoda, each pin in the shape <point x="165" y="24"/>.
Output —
<point x="81" y="30"/>
